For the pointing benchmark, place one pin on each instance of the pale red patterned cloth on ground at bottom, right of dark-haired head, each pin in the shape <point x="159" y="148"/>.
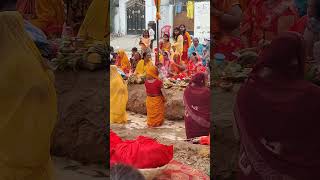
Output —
<point x="176" y="170"/>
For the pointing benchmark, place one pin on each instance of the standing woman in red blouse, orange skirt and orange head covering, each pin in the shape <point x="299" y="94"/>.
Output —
<point x="155" y="100"/>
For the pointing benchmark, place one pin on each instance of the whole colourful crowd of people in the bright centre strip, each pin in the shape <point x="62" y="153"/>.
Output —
<point x="180" y="58"/>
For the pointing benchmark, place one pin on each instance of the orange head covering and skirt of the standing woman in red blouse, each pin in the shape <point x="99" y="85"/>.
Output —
<point x="155" y="104"/>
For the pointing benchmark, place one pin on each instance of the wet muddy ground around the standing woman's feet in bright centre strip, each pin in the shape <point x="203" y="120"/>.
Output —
<point x="172" y="132"/>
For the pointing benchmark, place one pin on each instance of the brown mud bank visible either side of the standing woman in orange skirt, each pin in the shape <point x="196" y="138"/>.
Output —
<point x="174" y="104"/>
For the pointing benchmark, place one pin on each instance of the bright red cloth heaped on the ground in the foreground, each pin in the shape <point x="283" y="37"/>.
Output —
<point x="142" y="153"/>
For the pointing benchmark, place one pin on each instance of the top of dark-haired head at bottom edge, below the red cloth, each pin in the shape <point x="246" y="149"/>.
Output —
<point x="124" y="172"/>
